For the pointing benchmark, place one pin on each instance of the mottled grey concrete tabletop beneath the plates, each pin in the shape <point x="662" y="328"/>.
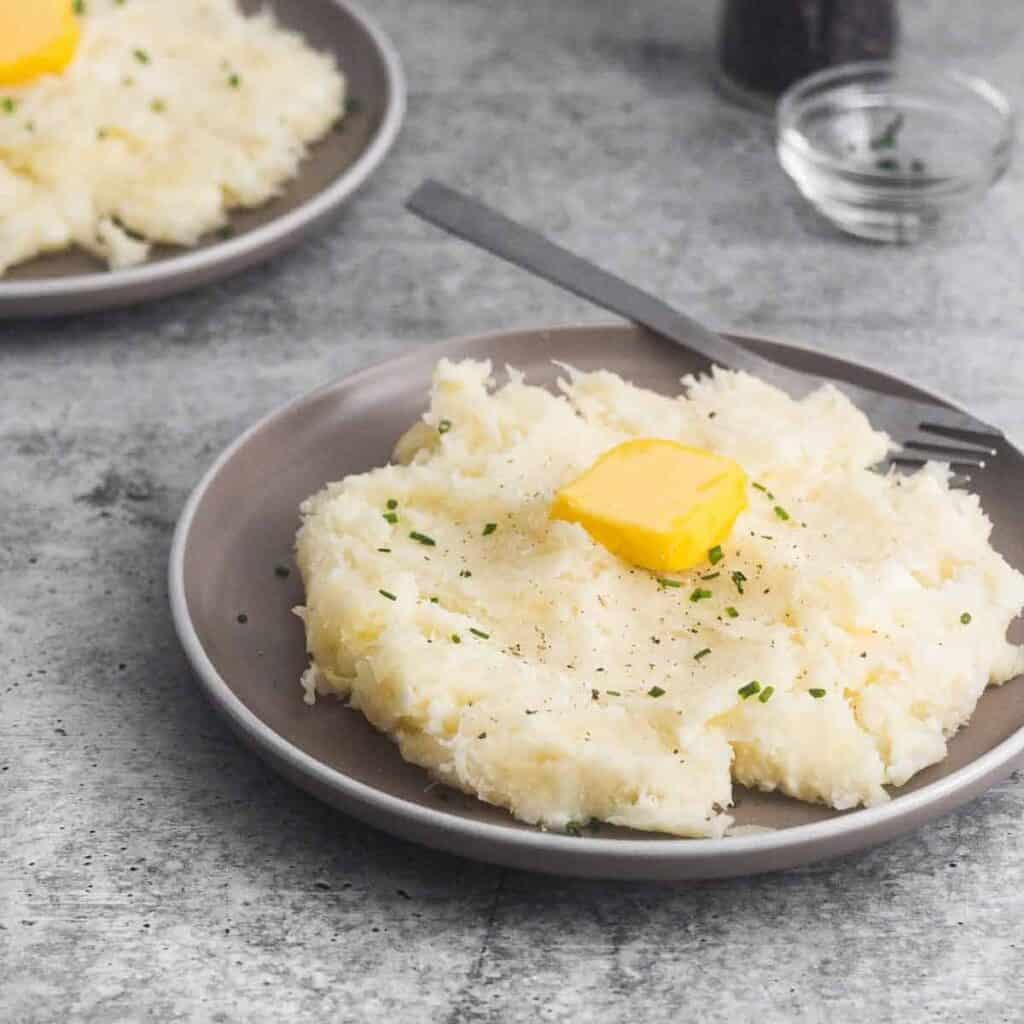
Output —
<point x="151" y="869"/>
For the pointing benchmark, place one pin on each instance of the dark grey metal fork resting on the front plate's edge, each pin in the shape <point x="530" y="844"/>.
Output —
<point x="922" y="431"/>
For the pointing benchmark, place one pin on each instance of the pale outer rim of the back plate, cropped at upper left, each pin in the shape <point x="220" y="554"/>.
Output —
<point x="193" y="262"/>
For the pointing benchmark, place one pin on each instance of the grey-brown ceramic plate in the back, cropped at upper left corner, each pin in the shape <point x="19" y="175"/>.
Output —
<point x="75" y="282"/>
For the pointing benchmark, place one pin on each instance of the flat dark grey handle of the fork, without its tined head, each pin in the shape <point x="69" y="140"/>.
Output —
<point x="478" y="224"/>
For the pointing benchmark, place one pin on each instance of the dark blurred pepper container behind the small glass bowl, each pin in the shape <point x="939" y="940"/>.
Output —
<point x="766" y="46"/>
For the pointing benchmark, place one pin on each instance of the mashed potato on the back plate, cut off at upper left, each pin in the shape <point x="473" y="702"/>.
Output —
<point x="169" y="116"/>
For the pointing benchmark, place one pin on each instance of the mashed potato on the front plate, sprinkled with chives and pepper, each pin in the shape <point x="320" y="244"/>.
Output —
<point x="518" y="660"/>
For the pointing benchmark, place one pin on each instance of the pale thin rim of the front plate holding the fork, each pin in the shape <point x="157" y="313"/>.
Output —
<point x="590" y="852"/>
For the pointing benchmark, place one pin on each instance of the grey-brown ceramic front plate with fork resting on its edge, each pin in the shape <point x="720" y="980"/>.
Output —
<point x="240" y="525"/>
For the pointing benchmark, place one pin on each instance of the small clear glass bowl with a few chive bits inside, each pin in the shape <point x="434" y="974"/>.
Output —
<point x="884" y="150"/>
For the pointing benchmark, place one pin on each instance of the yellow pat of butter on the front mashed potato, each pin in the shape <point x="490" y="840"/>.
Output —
<point x="657" y="504"/>
